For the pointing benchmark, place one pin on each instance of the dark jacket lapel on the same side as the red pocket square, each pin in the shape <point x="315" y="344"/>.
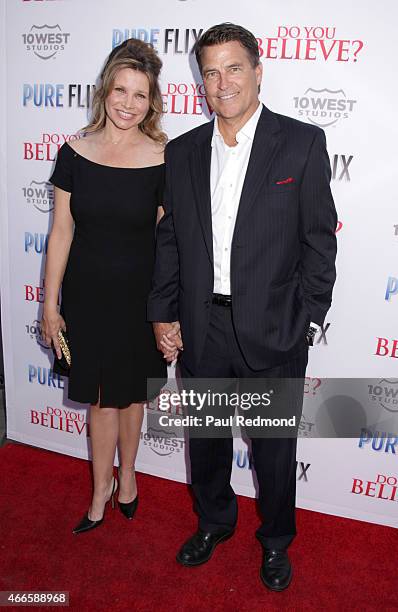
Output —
<point x="267" y="140"/>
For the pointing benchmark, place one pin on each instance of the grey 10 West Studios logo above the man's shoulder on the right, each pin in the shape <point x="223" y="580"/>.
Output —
<point x="324" y="107"/>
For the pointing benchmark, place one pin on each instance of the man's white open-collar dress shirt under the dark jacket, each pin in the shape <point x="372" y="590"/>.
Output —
<point x="227" y="174"/>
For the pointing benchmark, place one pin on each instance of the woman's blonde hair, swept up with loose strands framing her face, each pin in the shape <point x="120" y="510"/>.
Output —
<point x="137" y="55"/>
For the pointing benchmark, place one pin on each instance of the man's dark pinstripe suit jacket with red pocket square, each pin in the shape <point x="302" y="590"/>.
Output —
<point x="283" y="248"/>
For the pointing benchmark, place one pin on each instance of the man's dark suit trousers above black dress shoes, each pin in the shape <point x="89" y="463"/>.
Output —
<point x="274" y="459"/>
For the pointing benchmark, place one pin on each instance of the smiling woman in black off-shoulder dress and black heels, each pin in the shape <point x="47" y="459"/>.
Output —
<point x="108" y="191"/>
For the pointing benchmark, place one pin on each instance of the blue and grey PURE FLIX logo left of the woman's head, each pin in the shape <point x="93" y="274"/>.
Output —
<point x="57" y="95"/>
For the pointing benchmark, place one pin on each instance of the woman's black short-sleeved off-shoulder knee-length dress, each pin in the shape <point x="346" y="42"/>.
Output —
<point x="108" y="277"/>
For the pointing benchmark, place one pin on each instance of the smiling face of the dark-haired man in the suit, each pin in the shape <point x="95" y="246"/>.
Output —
<point x="230" y="80"/>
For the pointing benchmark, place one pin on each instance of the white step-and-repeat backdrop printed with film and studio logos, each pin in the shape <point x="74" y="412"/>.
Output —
<point x="329" y="64"/>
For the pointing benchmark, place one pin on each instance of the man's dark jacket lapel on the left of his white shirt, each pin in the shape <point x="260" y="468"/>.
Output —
<point x="199" y="161"/>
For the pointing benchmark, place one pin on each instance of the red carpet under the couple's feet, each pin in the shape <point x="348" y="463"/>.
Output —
<point x="338" y="563"/>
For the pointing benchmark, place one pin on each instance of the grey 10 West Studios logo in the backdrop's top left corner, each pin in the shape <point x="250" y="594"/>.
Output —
<point x="45" y="41"/>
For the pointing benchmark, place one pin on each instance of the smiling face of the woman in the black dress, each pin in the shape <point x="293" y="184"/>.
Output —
<point x="128" y="100"/>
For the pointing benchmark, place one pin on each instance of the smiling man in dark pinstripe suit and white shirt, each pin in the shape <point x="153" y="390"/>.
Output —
<point x="245" y="265"/>
